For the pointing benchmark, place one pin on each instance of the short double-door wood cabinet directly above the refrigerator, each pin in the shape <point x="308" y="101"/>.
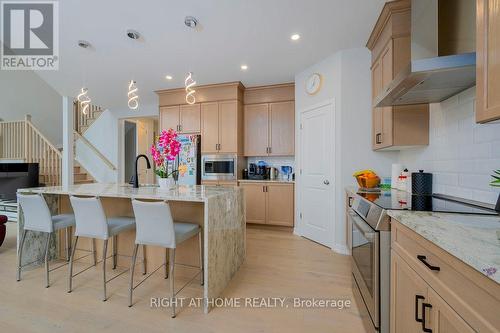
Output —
<point x="182" y="118"/>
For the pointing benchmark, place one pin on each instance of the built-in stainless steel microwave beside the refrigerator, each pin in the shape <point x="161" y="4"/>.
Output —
<point x="218" y="167"/>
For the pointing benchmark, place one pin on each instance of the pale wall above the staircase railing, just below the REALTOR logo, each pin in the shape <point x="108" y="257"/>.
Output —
<point x="24" y="92"/>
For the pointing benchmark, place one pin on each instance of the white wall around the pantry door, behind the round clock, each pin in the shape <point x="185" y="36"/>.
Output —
<point x="347" y="80"/>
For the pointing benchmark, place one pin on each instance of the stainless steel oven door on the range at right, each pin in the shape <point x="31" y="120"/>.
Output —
<point x="365" y="263"/>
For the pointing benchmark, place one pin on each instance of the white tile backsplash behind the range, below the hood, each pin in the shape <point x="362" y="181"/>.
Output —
<point x="461" y="154"/>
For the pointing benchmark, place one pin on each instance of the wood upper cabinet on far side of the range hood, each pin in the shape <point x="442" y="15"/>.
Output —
<point x="394" y="127"/>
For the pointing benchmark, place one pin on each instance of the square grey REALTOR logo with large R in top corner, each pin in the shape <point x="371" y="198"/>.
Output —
<point x="29" y="35"/>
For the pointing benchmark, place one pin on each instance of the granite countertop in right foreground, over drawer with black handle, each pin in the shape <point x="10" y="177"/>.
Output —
<point x="474" y="239"/>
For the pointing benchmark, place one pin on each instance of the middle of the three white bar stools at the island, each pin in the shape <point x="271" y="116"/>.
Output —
<point x="91" y="222"/>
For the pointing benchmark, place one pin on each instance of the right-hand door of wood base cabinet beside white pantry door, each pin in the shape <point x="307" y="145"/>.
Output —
<point x="280" y="203"/>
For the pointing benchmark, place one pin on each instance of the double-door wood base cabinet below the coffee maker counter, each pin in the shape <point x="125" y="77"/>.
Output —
<point x="269" y="203"/>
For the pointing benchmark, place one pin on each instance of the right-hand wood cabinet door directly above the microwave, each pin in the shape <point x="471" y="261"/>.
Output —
<point x="228" y="127"/>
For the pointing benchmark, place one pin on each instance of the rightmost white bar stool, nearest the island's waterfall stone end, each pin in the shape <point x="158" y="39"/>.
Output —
<point x="155" y="226"/>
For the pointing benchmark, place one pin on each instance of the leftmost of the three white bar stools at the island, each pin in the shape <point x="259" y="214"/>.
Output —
<point x="37" y="217"/>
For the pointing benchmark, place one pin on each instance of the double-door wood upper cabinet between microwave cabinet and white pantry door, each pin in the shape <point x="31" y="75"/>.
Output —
<point x="270" y="121"/>
